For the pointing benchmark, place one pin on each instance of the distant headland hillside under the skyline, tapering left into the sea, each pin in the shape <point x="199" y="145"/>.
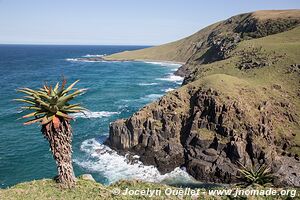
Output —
<point x="197" y="44"/>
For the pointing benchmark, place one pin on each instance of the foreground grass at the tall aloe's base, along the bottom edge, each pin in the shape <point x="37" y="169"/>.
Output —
<point x="47" y="189"/>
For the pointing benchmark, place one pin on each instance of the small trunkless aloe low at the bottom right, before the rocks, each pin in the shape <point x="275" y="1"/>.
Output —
<point x="253" y="175"/>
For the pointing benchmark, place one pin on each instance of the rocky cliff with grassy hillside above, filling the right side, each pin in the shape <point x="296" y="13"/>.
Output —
<point x="239" y="104"/>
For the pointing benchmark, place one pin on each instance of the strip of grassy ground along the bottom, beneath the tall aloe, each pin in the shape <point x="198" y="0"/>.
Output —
<point x="47" y="189"/>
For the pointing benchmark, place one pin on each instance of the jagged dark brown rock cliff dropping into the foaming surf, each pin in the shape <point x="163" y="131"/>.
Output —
<point x="207" y="132"/>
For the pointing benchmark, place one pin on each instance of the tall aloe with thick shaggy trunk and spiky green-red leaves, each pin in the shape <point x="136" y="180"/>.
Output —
<point x="50" y="108"/>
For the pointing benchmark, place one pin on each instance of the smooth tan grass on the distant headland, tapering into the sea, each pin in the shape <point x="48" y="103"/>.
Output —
<point x="183" y="49"/>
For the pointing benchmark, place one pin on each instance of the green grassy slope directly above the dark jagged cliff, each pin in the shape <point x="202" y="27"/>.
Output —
<point x="251" y="87"/>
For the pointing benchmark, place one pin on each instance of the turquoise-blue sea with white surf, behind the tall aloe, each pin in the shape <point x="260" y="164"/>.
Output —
<point x="115" y="90"/>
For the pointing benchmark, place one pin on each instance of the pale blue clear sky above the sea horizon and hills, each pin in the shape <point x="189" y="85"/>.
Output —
<point x="117" y="22"/>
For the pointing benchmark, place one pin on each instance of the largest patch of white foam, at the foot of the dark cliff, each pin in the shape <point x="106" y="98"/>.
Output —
<point x="101" y="159"/>
